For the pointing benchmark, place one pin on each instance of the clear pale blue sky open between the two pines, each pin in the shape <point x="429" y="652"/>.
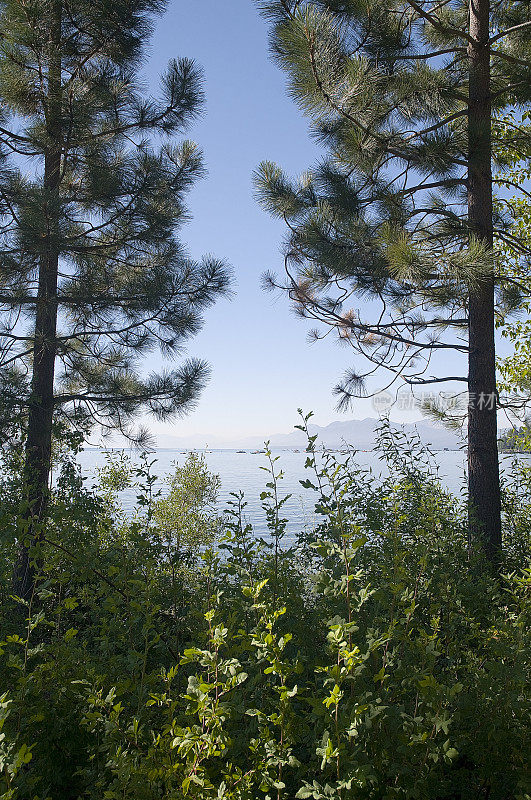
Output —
<point x="263" y="366"/>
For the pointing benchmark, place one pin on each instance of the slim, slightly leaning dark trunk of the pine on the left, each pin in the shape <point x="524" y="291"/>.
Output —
<point x="37" y="464"/>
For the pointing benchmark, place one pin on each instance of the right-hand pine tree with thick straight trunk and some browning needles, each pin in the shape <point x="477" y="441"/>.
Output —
<point x="403" y="94"/>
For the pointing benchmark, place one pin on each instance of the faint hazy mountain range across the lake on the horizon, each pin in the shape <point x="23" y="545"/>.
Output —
<point x="360" y="434"/>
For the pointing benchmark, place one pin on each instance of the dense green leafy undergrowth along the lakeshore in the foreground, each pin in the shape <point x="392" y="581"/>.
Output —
<point x="176" y="655"/>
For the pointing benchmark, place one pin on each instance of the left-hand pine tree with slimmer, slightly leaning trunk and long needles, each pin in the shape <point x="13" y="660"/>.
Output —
<point x="92" y="275"/>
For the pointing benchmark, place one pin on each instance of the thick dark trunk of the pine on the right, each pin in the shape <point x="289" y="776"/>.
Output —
<point x="483" y="463"/>
